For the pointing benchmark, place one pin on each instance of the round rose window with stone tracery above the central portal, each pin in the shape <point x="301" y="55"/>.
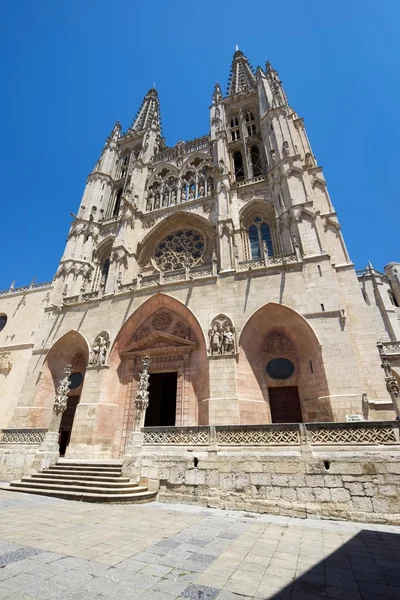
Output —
<point x="181" y="249"/>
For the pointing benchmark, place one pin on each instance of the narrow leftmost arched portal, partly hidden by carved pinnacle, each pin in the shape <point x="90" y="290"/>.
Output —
<point x="71" y="349"/>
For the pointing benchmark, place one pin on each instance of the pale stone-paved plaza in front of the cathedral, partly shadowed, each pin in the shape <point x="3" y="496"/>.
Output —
<point x="63" y="550"/>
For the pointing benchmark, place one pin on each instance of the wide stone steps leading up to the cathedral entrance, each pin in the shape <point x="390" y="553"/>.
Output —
<point x="91" y="481"/>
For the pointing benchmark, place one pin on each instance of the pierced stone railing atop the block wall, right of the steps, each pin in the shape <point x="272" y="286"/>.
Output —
<point x="291" y="434"/>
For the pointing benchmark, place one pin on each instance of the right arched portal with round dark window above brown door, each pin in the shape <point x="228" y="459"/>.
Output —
<point x="282" y="367"/>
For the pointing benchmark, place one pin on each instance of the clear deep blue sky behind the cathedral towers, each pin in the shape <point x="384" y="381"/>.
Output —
<point x="71" y="68"/>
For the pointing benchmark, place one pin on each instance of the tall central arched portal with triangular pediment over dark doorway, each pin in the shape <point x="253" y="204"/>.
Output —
<point x="167" y="331"/>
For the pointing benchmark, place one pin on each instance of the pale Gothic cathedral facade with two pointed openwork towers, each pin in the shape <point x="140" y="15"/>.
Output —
<point x="218" y="269"/>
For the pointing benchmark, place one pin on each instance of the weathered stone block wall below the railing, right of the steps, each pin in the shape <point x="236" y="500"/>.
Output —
<point x="358" y="484"/>
